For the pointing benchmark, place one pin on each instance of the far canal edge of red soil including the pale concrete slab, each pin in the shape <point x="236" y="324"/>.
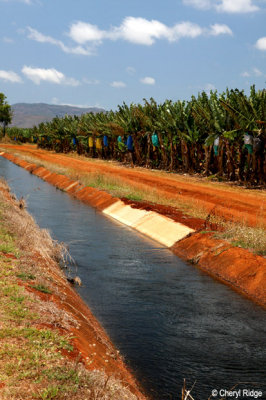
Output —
<point x="238" y="268"/>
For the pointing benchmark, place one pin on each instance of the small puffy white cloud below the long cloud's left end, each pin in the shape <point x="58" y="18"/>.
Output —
<point x="37" y="75"/>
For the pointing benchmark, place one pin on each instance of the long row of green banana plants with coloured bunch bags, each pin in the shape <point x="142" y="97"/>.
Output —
<point x="218" y="135"/>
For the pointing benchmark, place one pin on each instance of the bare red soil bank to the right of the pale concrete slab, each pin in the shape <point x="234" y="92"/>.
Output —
<point x="244" y="271"/>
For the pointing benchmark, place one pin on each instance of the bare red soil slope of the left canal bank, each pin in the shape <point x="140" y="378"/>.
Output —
<point x="91" y="344"/>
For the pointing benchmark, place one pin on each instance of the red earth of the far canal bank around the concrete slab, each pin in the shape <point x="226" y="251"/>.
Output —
<point x="236" y="267"/>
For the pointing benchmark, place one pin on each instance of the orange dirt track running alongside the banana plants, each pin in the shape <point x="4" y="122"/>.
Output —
<point x="224" y="200"/>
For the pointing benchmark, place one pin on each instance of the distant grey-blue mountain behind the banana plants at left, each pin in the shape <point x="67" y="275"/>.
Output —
<point x="27" y="115"/>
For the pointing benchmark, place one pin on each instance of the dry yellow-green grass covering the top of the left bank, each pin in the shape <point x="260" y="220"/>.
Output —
<point x="32" y="360"/>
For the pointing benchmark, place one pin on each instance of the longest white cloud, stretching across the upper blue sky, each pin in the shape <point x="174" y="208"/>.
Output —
<point x="134" y="30"/>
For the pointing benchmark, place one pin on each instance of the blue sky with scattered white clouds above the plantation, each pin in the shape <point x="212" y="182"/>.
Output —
<point x="102" y="53"/>
